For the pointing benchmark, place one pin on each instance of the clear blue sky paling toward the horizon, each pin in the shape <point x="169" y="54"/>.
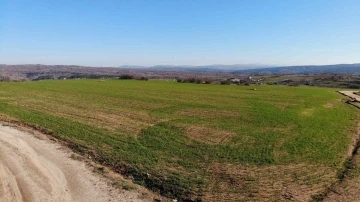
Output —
<point x="179" y="32"/>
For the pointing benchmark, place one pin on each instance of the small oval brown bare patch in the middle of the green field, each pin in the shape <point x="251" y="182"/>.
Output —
<point x="208" y="135"/>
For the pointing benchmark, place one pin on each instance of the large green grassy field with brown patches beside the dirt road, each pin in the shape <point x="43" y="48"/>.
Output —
<point x="194" y="141"/>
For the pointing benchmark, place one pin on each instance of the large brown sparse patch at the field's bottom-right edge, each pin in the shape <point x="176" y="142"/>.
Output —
<point x="268" y="183"/>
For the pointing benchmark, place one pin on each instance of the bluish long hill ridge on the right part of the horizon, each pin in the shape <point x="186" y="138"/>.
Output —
<point x="309" y="69"/>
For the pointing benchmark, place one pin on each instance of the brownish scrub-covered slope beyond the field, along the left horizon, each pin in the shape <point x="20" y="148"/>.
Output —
<point x="48" y="72"/>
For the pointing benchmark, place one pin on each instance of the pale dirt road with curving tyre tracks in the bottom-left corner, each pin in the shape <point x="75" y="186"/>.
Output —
<point x="37" y="169"/>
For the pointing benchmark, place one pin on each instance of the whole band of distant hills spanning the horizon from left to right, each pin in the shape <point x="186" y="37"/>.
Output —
<point x="40" y="72"/>
